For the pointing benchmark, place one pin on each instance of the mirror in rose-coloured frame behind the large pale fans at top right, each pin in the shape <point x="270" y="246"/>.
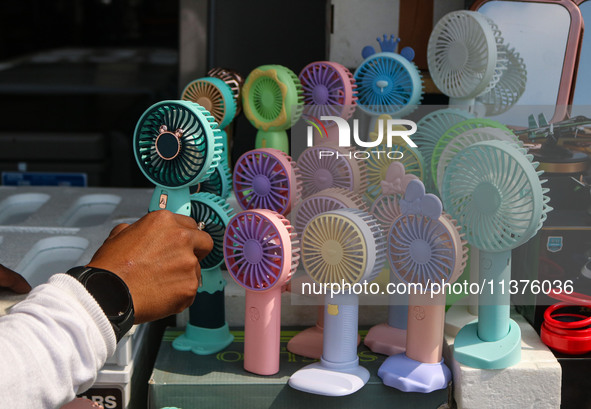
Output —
<point x="547" y="35"/>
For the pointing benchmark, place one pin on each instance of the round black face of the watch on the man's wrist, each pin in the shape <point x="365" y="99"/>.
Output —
<point x="110" y="292"/>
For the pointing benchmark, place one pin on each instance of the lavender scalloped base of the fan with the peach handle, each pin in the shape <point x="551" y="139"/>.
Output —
<point x="408" y="375"/>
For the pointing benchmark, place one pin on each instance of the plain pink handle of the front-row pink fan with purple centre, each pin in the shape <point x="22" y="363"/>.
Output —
<point x="262" y="329"/>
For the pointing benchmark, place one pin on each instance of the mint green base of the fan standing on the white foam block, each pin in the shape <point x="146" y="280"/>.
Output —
<point x="470" y="350"/>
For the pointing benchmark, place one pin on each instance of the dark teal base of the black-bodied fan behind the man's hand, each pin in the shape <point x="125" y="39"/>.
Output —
<point x="203" y="341"/>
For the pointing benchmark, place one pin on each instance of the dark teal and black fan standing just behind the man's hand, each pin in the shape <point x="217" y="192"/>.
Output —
<point x="207" y="331"/>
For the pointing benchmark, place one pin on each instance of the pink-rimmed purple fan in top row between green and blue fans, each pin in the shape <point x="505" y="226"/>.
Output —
<point x="329" y="90"/>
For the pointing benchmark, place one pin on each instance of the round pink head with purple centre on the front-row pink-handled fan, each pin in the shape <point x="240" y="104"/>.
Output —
<point x="260" y="249"/>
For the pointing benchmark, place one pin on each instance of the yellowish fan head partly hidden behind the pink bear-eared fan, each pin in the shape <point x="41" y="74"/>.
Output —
<point x="377" y="166"/>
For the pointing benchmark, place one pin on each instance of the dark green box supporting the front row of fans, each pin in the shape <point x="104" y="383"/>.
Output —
<point x="186" y="380"/>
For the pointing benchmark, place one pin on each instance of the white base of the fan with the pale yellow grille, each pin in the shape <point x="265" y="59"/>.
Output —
<point x="320" y="378"/>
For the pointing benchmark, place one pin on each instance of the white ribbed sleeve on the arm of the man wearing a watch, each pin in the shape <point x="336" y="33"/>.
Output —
<point x="52" y="345"/>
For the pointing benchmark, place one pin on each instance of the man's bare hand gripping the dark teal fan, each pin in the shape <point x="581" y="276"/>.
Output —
<point x="158" y="258"/>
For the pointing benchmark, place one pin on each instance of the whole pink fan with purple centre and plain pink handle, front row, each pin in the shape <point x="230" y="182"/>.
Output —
<point x="261" y="253"/>
